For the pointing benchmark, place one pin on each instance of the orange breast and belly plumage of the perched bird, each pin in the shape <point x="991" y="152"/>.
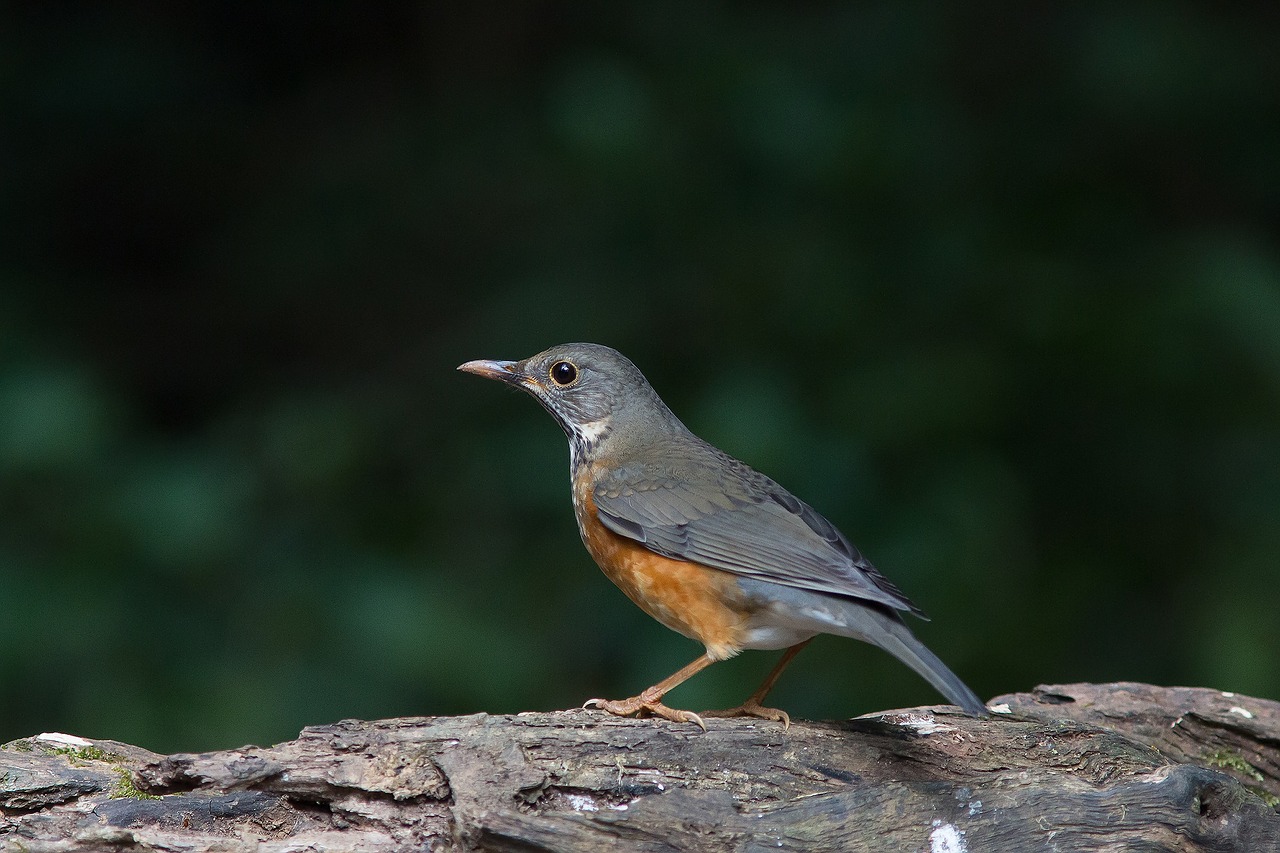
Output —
<point x="697" y="601"/>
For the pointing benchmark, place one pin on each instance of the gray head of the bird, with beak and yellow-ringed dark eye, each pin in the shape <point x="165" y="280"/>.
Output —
<point x="588" y="389"/>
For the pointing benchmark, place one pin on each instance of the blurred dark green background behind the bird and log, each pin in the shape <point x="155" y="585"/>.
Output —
<point x="996" y="288"/>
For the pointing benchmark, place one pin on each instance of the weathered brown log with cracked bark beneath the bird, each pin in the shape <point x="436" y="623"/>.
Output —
<point x="1064" y="768"/>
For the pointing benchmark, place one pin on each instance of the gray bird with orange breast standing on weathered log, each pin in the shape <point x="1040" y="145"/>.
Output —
<point x="705" y="544"/>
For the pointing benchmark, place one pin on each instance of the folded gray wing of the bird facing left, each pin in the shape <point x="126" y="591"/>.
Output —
<point x="724" y="514"/>
